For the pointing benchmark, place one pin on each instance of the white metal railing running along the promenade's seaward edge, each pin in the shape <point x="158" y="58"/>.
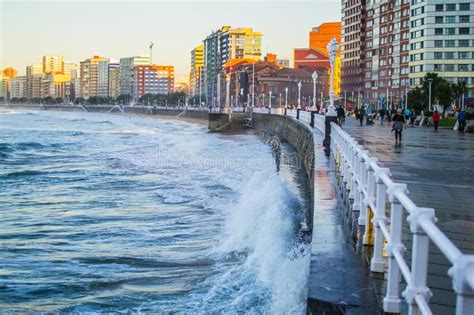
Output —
<point x="367" y="185"/>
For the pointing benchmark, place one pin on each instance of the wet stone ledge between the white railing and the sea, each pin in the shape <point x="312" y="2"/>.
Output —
<point x="339" y="281"/>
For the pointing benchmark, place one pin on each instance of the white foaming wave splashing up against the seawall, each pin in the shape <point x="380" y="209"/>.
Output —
<point x="263" y="226"/>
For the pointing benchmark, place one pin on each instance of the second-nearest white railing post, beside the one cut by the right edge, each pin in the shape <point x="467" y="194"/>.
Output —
<point x="419" y="259"/>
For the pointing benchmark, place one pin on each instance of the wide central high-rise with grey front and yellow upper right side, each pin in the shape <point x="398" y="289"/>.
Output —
<point x="221" y="46"/>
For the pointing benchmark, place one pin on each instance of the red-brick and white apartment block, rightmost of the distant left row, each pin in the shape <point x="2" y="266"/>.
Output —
<point x="153" y="79"/>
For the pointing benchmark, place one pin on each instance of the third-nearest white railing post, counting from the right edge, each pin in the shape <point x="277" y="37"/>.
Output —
<point x="391" y="302"/>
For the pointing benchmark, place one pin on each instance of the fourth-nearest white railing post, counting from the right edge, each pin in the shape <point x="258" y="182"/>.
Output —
<point x="377" y="263"/>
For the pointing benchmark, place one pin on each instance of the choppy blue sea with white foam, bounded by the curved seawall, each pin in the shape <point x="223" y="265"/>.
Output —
<point x="113" y="213"/>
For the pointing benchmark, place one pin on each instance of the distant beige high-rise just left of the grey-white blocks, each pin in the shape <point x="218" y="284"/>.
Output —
<point x="89" y="77"/>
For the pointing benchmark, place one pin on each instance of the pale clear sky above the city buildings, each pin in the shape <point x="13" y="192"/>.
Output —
<point x="79" y="30"/>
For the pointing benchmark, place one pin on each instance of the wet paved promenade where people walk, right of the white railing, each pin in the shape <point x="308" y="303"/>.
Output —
<point x="438" y="168"/>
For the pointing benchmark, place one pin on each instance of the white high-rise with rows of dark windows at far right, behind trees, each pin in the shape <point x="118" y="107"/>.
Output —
<point x="442" y="41"/>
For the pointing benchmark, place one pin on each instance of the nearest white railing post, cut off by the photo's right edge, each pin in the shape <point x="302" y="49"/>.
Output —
<point x="461" y="271"/>
